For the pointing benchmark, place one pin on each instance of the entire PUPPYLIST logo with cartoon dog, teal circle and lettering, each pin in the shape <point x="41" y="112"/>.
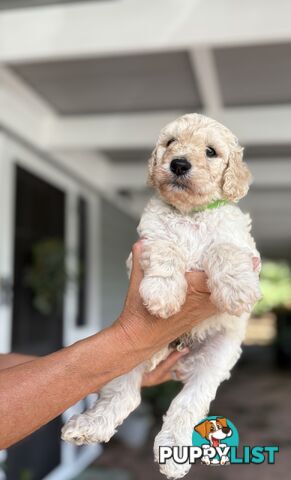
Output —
<point x="215" y="441"/>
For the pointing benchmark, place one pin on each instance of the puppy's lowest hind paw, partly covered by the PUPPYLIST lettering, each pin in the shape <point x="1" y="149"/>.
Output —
<point x="170" y="468"/>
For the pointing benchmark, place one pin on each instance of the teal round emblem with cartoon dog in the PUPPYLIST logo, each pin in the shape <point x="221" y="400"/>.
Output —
<point x="215" y="435"/>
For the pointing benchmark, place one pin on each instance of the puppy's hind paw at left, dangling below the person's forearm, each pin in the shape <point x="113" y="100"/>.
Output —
<point x="85" y="429"/>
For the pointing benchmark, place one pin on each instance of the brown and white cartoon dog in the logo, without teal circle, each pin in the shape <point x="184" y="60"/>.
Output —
<point x="214" y="431"/>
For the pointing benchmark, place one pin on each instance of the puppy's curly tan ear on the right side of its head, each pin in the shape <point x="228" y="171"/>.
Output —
<point x="237" y="177"/>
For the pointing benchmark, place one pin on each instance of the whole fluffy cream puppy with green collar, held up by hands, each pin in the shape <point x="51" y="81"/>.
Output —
<point x="193" y="223"/>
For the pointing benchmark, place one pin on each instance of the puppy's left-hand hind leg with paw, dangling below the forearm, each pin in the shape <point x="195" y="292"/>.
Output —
<point x="116" y="401"/>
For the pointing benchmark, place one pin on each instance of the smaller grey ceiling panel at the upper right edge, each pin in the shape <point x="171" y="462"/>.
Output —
<point x="255" y="75"/>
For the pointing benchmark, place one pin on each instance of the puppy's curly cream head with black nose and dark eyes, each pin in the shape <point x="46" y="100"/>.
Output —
<point x="196" y="161"/>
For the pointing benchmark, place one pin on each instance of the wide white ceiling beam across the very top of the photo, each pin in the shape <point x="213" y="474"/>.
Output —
<point x="93" y="29"/>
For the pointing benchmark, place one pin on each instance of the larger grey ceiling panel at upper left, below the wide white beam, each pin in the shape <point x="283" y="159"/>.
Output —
<point x="120" y="84"/>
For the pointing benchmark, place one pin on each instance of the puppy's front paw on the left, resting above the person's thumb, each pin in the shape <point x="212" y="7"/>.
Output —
<point x="163" y="297"/>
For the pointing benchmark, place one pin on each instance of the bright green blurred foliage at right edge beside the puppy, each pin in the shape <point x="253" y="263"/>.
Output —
<point x="275" y="280"/>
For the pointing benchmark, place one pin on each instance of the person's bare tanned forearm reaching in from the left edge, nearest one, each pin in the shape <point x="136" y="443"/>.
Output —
<point x="35" y="392"/>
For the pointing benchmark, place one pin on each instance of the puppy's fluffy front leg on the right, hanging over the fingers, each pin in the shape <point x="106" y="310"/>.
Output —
<point x="233" y="283"/>
